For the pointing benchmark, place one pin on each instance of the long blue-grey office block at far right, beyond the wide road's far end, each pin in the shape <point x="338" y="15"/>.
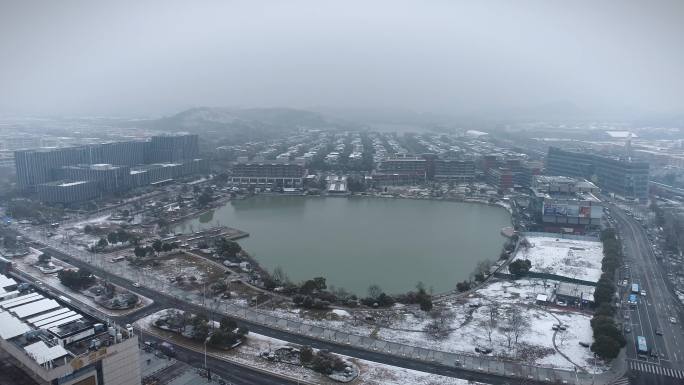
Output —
<point x="623" y="177"/>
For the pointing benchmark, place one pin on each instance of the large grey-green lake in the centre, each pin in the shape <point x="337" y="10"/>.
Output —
<point x="359" y="241"/>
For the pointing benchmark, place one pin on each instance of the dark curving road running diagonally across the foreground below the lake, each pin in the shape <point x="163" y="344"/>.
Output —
<point x="163" y="300"/>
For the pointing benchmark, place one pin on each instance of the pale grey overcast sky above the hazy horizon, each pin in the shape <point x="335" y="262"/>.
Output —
<point x="158" y="57"/>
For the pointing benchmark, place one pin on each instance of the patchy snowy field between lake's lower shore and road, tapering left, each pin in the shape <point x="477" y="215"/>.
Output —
<point x="460" y="325"/>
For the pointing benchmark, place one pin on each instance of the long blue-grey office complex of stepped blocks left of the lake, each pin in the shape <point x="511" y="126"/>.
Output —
<point x="113" y="166"/>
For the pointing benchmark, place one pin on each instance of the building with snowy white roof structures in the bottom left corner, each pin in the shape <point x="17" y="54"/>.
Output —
<point x="55" y="343"/>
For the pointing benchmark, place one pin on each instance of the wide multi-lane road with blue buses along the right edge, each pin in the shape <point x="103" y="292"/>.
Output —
<point x="653" y="310"/>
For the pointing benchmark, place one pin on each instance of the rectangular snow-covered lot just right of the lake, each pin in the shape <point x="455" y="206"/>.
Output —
<point x="580" y="259"/>
